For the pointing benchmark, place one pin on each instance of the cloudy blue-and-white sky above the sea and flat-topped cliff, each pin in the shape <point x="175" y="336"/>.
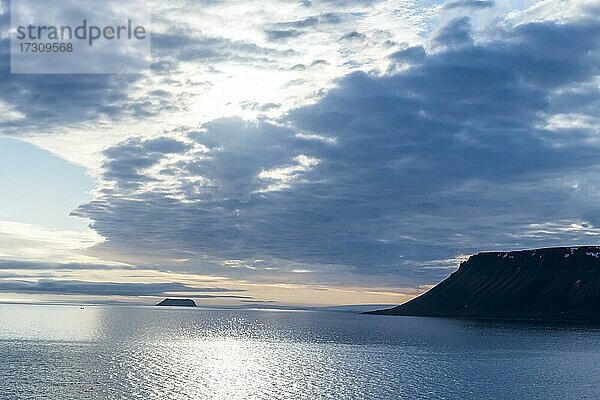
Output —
<point x="308" y="153"/>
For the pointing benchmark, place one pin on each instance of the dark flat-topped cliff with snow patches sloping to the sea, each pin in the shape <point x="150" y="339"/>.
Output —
<point x="545" y="284"/>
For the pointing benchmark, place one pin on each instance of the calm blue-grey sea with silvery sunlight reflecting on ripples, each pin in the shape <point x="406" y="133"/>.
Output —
<point x="62" y="352"/>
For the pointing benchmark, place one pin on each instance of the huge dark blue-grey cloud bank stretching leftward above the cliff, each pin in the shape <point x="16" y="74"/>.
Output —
<point x="386" y="176"/>
